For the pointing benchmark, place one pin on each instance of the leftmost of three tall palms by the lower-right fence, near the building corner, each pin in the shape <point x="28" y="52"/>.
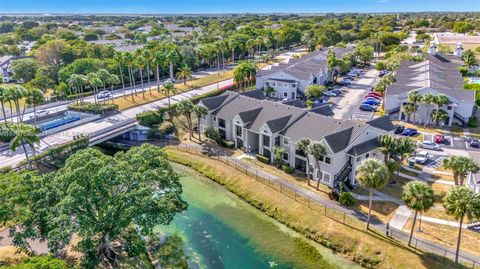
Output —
<point x="372" y="174"/>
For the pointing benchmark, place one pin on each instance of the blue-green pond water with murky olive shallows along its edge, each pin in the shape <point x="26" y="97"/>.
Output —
<point x="222" y="231"/>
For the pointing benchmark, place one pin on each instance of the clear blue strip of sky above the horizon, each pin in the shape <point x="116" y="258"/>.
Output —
<point x="236" y="6"/>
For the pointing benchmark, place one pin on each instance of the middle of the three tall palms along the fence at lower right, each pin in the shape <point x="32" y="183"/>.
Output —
<point x="417" y="196"/>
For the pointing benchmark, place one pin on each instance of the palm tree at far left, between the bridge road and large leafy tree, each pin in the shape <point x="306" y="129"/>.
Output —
<point x="24" y="134"/>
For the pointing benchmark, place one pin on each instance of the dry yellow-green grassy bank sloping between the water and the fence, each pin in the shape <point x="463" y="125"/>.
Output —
<point x="369" y="249"/>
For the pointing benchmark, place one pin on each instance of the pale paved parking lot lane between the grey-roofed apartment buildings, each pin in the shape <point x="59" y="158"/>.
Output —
<point x="346" y="106"/>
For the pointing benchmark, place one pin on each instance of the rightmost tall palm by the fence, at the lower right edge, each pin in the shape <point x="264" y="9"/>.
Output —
<point x="461" y="202"/>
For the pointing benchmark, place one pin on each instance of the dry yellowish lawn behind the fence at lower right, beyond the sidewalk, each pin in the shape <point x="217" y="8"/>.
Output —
<point x="447" y="235"/>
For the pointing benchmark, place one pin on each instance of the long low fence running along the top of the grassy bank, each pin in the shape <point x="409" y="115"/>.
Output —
<point x="337" y="213"/>
